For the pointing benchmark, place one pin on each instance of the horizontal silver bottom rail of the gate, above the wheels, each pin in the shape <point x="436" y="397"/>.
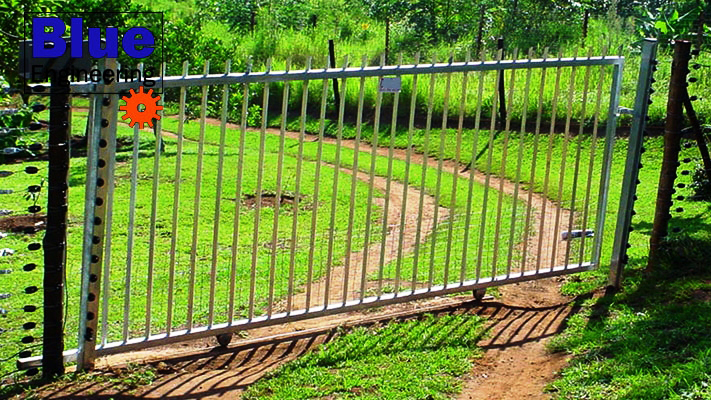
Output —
<point x="314" y="312"/>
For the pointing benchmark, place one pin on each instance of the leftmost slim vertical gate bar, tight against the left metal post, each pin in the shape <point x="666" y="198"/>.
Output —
<point x="111" y="168"/>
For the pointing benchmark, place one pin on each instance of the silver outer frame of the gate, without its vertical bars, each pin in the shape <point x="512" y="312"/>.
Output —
<point x="93" y="235"/>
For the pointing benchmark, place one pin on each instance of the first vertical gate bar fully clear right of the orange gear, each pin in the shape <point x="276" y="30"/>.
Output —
<point x="176" y="203"/>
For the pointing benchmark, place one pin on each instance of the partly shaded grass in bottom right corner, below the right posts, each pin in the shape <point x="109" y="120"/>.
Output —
<point x="648" y="342"/>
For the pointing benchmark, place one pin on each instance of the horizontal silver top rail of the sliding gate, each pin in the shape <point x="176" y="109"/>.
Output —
<point x="331" y="73"/>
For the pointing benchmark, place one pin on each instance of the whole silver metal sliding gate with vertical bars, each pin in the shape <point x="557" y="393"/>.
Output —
<point x="423" y="185"/>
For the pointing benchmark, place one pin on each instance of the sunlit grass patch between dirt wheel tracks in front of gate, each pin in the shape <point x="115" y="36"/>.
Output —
<point x="406" y="360"/>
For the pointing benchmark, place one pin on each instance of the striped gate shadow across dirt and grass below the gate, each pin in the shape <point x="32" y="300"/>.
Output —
<point x="227" y="371"/>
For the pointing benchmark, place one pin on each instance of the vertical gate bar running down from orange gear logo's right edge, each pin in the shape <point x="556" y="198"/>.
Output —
<point x="152" y="229"/>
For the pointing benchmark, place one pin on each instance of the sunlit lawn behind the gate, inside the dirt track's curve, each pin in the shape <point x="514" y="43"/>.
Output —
<point x="162" y="233"/>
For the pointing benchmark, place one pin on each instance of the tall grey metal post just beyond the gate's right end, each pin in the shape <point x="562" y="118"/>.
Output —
<point x="641" y="106"/>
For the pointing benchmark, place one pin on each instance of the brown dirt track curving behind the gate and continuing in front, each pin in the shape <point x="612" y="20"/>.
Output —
<point x="516" y="364"/>
